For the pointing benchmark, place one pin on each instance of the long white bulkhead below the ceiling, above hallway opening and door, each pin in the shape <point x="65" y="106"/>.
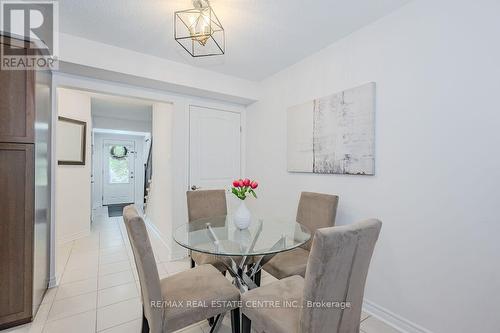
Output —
<point x="85" y="57"/>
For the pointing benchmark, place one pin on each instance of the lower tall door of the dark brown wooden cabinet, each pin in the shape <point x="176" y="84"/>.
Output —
<point x="16" y="233"/>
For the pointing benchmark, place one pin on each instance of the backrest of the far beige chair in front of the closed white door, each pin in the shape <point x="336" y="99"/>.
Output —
<point x="206" y="203"/>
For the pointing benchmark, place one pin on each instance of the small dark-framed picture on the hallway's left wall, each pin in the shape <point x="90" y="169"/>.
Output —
<point x="71" y="141"/>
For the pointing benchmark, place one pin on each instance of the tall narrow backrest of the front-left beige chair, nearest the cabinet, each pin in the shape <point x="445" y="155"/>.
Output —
<point x="146" y="268"/>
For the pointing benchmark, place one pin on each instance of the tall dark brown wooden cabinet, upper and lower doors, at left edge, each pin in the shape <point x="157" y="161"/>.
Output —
<point x="17" y="137"/>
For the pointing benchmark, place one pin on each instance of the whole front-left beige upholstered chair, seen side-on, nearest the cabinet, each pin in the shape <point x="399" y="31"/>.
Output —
<point x="165" y="301"/>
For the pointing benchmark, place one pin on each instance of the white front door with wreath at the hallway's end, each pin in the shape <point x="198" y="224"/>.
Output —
<point x="118" y="183"/>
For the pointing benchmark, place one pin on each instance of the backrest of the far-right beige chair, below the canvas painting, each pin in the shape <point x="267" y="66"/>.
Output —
<point x="316" y="210"/>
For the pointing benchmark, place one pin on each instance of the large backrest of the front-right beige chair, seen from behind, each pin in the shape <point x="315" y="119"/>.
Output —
<point x="336" y="272"/>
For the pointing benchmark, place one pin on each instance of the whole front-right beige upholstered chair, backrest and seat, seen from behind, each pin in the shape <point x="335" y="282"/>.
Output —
<point x="336" y="272"/>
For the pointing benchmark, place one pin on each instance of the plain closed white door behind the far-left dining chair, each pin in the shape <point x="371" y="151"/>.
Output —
<point x="214" y="148"/>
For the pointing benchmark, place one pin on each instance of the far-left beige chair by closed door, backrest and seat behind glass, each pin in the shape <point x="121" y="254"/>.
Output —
<point x="206" y="204"/>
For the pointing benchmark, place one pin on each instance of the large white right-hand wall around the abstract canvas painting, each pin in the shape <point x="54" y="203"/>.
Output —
<point x="437" y="171"/>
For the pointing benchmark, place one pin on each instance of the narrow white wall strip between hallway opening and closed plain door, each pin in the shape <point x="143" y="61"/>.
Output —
<point x="160" y="202"/>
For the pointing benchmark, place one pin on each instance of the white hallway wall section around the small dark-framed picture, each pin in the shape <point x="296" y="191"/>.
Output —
<point x="72" y="201"/>
